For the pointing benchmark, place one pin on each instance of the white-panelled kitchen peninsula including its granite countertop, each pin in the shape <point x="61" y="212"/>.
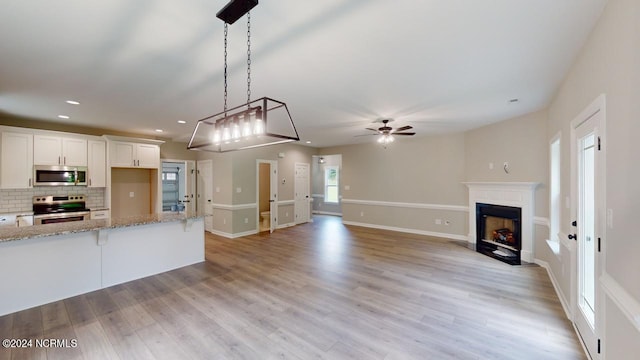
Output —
<point x="45" y="263"/>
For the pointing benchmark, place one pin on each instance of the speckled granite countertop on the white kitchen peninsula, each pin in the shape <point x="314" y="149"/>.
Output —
<point x="35" y="231"/>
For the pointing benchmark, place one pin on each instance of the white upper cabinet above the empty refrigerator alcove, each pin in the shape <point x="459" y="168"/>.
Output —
<point x="131" y="154"/>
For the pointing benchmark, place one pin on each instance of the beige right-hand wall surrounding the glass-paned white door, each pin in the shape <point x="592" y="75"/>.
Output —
<point x="609" y="64"/>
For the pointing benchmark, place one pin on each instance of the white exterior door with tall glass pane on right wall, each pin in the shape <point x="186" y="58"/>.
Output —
<point x="587" y="189"/>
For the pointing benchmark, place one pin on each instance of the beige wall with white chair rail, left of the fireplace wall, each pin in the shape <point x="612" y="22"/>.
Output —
<point x="423" y="172"/>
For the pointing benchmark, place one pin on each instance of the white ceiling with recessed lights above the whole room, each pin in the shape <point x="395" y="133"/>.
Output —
<point x="438" y="65"/>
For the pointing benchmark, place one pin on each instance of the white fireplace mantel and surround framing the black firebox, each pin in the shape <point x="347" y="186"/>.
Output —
<point x="516" y="194"/>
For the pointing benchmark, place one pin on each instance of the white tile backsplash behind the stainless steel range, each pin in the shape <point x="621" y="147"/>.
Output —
<point x="21" y="200"/>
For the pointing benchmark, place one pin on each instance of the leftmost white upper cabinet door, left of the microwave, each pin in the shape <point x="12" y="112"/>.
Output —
<point x="16" y="165"/>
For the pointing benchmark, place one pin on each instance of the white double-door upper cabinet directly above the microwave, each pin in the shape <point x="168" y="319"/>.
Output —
<point x="56" y="150"/>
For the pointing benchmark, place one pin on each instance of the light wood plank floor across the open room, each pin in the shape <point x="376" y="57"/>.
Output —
<point x="315" y="291"/>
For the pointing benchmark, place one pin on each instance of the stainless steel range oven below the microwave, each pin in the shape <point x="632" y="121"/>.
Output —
<point x="55" y="209"/>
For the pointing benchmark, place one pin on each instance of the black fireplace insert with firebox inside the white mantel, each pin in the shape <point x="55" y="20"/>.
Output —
<point x="498" y="232"/>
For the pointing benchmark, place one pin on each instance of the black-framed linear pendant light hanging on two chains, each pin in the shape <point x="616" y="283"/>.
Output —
<point x="257" y="123"/>
